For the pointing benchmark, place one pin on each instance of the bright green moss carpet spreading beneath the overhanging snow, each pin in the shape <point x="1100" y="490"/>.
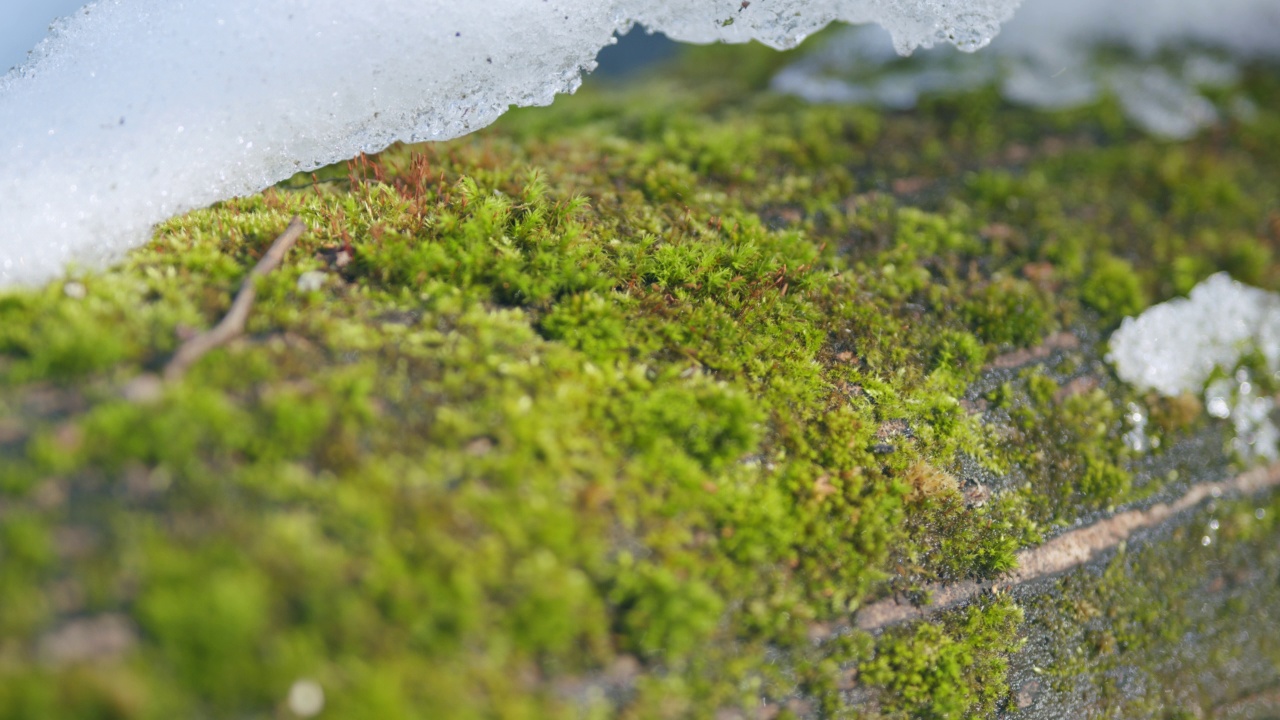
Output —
<point x="607" y="411"/>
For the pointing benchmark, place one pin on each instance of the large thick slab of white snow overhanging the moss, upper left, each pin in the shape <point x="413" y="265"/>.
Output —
<point x="135" y="111"/>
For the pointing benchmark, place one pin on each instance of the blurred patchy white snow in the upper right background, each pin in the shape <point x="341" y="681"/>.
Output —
<point x="1045" y="58"/>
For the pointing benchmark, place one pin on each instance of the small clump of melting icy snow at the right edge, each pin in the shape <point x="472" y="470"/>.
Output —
<point x="1176" y="347"/>
